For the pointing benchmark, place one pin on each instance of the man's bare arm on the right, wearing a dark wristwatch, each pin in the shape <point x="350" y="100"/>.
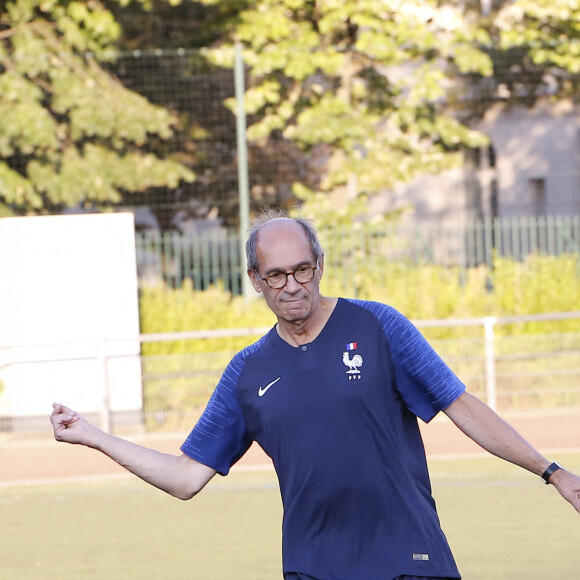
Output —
<point x="490" y="431"/>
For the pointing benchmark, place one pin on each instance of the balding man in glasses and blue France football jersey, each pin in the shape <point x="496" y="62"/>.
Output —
<point x="332" y="393"/>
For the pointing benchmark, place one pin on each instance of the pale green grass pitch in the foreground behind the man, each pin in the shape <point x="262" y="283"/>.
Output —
<point x="500" y="521"/>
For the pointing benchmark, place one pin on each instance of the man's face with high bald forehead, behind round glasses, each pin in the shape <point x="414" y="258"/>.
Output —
<point x="282" y="247"/>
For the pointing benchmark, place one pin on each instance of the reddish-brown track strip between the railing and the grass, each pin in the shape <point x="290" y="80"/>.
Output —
<point x="45" y="461"/>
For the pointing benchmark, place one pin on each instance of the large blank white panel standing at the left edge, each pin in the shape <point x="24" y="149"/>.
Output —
<point x="68" y="296"/>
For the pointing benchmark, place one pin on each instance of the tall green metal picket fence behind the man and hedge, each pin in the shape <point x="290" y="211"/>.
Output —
<point x="214" y="256"/>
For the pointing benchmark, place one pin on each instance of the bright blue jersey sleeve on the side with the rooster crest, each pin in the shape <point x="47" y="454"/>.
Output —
<point x="423" y="379"/>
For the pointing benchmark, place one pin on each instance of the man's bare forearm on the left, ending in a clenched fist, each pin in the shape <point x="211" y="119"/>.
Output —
<point x="179" y="476"/>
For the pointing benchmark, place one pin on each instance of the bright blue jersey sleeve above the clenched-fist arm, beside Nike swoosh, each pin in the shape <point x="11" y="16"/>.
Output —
<point x="219" y="438"/>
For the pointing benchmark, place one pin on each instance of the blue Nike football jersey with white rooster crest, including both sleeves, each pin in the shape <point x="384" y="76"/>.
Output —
<point x="338" y="417"/>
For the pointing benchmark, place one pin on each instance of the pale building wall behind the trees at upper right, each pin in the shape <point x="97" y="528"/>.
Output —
<point x="542" y="143"/>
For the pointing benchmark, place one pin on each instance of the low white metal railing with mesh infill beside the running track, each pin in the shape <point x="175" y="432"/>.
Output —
<point x="518" y="372"/>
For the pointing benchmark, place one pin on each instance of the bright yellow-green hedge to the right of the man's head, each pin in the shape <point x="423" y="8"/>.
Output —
<point x="540" y="284"/>
